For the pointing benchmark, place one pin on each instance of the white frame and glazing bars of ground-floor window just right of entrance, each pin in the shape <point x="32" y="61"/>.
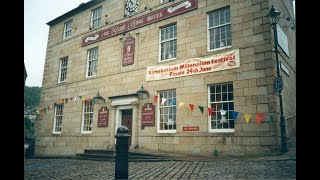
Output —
<point x="166" y="105"/>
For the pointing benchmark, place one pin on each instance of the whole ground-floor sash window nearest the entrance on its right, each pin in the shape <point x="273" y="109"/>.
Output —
<point x="167" y="111"/>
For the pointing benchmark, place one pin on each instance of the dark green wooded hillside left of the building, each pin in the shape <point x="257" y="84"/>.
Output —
<point x="31" y="97"/>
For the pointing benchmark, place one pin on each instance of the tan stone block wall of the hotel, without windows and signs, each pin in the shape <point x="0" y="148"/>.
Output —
<point x="252" y="81"/>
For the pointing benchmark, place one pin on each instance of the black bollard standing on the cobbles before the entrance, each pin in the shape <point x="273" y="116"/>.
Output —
<point x="122" y="150"/>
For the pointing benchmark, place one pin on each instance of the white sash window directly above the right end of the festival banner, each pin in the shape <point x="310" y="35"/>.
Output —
<point x="219" y="29"/>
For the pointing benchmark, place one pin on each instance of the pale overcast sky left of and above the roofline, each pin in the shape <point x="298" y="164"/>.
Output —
<point x="36" y="14"/>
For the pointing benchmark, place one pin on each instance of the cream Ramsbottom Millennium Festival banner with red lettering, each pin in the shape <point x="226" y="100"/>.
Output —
<point x="217" y="62"/>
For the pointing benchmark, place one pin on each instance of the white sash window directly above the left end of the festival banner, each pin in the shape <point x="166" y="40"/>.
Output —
<point x="168" y="42"/>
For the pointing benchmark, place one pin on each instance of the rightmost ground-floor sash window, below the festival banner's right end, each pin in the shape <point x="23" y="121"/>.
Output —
<point x="221" y="99"/>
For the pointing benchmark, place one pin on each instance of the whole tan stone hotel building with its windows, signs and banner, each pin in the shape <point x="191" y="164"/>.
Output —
<point x="201" y="61"/>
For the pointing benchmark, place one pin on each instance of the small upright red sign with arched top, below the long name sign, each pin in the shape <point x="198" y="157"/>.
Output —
<point x="128" y="51"/>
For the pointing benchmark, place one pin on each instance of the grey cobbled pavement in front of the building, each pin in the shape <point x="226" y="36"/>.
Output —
<point x="188" y="167"/>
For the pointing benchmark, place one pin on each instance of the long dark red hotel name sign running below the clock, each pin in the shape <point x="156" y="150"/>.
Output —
<point x="161" y="14"/>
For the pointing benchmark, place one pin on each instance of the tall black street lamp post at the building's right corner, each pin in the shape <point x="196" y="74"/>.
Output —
<point x="273" y="19"/>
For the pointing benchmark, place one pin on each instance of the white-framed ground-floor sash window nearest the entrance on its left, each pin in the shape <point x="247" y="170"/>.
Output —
<point x="87" y="117"/>
